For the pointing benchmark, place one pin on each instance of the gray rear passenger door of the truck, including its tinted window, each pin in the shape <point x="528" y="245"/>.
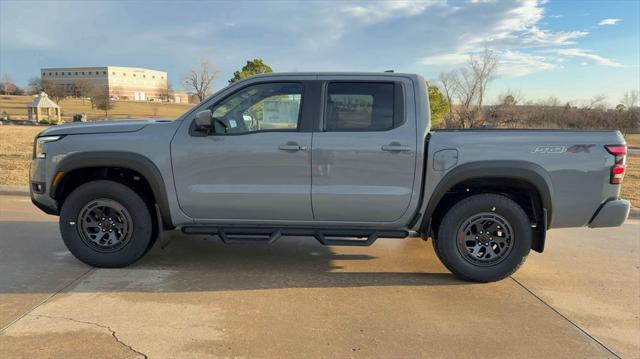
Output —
<point x="364" y="156"/>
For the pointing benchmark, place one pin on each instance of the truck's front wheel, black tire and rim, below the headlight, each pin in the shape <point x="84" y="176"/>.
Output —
<point x="106" y="224"/>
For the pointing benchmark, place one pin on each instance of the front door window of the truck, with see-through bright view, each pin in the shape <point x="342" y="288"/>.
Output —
<point x="270" y="106"/>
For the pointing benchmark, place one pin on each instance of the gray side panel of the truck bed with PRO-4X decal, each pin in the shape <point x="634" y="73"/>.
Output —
<point x="575" y="164"/>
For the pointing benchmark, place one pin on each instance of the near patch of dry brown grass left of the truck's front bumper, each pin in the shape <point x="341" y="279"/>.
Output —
<point x="16" y="146"/>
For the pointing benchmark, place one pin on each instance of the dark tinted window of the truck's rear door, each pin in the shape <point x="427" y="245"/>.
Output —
<point x="353" y="106"/>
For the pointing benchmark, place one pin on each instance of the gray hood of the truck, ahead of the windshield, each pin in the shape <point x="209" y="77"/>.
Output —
<point x="108" y="126"/>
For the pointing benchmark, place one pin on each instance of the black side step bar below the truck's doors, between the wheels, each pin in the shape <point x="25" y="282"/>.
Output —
<point x="265" y="235"/>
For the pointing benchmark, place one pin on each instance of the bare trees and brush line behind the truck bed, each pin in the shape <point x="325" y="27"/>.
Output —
<point x="458" y="99"/>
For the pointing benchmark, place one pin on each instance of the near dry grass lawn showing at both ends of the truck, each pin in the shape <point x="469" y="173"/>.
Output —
<point x="16" y="143"/>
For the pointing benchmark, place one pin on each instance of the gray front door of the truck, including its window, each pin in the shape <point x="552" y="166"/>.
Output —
<point x="256" y="165"/>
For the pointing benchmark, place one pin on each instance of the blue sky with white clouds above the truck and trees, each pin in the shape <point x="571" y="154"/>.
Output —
<point x="573" y="50"/>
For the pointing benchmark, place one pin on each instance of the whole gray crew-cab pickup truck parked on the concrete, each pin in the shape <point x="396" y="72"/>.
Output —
<point x="344" y="158"/>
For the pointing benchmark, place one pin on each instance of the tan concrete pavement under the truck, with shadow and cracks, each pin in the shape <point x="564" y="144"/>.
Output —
<point x="295" y="298"/>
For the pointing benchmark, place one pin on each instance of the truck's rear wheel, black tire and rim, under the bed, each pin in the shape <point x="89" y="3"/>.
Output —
<point x="484" y="238"/>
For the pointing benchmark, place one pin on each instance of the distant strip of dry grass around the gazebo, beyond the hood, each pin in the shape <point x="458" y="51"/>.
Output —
<point x="16" y="107"/>
